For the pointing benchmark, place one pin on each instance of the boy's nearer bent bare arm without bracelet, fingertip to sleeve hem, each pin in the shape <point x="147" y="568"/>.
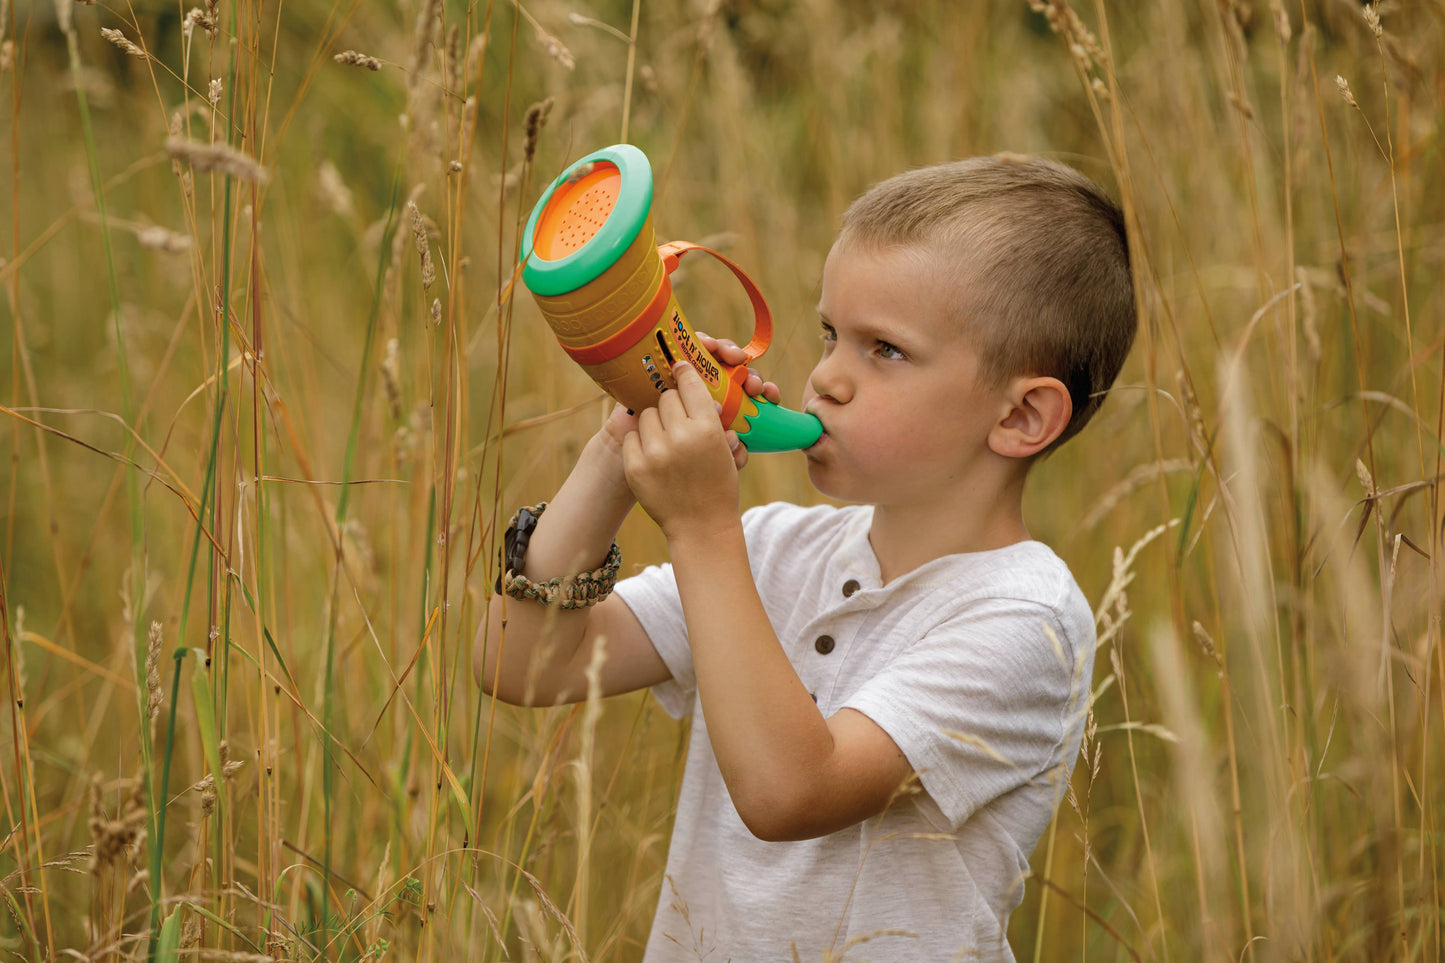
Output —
<point x="791" y="773"/>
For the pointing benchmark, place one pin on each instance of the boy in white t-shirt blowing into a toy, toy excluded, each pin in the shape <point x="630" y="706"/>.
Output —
<point x="887" y="698"/>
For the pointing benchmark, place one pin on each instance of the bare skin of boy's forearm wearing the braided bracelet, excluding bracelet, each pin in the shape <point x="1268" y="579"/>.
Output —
<point x="525" y="649"/>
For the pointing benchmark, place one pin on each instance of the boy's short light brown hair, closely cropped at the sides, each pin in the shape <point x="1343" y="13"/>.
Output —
<point x="1044" y="260"/>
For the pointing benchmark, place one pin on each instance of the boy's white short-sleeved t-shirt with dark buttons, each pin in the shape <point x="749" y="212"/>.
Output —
<point x="979" y="669"/>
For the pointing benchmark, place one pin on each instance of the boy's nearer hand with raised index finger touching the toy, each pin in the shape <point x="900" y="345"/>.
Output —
<point x="680" y="463"/>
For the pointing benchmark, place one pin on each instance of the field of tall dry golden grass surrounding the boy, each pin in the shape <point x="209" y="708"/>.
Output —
<point x="262" y="424"/>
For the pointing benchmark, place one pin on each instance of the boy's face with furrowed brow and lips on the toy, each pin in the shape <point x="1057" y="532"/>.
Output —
<point x="905" y="419"/>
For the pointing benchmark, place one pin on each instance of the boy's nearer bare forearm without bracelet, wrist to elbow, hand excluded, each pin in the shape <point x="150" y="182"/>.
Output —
<point x="772" y="744"/>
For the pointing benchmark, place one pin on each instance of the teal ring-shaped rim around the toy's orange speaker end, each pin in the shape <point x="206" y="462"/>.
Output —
<point x="550" y="278"/>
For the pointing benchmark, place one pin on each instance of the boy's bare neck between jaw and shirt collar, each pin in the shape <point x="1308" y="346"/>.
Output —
<point x="983" y="518"/>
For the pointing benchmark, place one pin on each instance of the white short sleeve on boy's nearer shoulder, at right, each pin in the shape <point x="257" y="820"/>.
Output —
<point x="982" y="705"/>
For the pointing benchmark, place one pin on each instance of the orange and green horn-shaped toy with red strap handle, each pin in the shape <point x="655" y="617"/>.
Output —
<point x="605" y="286"/>
